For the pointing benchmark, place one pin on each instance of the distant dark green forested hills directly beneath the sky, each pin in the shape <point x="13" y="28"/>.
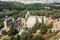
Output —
<point x="21" y="6"/>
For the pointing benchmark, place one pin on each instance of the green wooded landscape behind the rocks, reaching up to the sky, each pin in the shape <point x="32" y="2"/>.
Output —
<point x="19" y="9"/>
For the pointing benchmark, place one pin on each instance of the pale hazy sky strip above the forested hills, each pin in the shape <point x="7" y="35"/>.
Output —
<point x="33" y="1"/>
